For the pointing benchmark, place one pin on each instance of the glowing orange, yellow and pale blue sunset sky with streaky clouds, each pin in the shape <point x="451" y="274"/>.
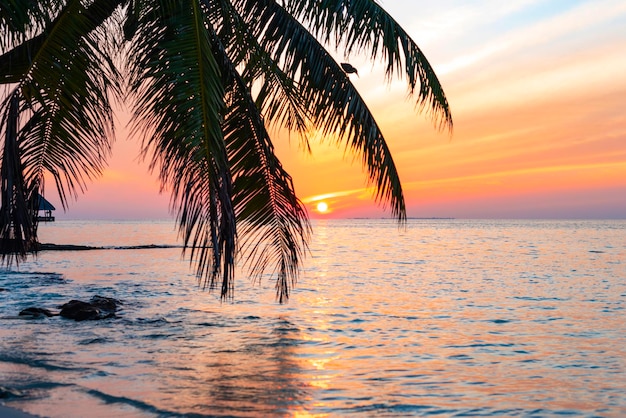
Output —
<point x="537" y="90"/>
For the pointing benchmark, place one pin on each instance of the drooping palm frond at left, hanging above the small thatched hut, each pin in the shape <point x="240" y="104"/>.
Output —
<point x="66" y="91"/>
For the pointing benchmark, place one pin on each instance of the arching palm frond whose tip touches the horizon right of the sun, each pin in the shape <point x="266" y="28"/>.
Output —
<point x="336" y="106"/>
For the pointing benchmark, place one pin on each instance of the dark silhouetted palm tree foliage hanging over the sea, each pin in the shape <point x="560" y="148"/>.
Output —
<point x="205" y="80"/>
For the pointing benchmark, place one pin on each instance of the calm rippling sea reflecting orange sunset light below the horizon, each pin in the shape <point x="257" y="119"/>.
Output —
<point x="444" y="318"/>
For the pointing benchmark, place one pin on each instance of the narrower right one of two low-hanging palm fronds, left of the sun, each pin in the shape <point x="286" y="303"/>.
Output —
<point x="272" y="222"/>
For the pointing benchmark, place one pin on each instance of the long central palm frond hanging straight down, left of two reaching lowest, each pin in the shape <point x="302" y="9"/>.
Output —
<point x="179" y="103"/>
